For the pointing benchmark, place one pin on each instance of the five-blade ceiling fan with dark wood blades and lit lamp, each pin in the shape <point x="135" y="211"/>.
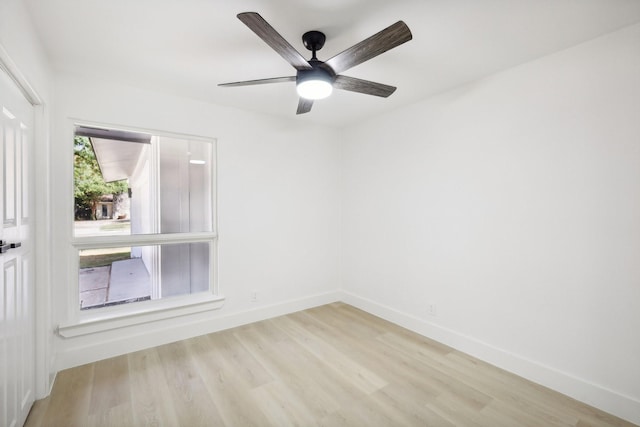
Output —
<point x="316" y="79"/>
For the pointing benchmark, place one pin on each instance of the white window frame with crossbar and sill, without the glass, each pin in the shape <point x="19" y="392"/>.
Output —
<point x="81" y="322"/>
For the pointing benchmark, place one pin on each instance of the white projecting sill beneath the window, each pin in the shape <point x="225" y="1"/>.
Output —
<point x="128" y="316"/>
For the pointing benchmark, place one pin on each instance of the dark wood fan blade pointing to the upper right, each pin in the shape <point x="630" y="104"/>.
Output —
<point x="378" y="43"/>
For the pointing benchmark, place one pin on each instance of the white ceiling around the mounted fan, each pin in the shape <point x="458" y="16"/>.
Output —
<point x="187" y="47"/>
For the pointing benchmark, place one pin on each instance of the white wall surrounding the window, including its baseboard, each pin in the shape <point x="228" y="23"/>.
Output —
<point x="278" y="209"/>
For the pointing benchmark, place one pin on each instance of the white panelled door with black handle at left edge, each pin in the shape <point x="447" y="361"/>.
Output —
<point x="17" y="317"/>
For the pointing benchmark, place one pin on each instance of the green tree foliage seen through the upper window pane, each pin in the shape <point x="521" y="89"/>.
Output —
<point x="89" y="185"/>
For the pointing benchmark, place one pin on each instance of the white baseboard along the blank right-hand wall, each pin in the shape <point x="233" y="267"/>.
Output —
<point x="600" y="397"/>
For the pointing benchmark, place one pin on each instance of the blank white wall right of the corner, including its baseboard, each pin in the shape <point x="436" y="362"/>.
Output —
<point x="513" y="205"/>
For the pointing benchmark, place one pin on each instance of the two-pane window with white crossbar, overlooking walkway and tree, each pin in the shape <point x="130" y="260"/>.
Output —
<point x="144" y="219"/>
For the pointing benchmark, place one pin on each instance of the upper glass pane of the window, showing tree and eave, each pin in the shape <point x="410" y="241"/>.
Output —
<point x="132" y="185"/>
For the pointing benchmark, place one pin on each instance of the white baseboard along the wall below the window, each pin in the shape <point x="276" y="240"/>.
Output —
<point x="89" y="350"/>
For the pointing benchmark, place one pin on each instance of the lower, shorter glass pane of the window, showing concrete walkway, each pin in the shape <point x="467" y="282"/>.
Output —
<point x="113" y="276"/>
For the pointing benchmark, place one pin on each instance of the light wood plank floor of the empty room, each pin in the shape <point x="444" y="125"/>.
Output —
<point x="329" y="366"/>
